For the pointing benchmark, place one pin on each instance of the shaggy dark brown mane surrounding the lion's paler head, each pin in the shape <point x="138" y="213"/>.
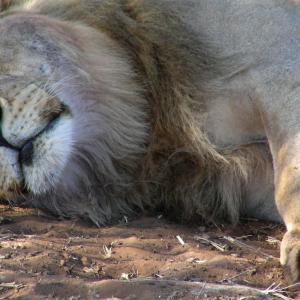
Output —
<point x="177" y="170"/>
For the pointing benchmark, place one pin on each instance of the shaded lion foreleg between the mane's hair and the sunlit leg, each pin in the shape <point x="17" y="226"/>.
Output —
<point x="253" y="170"/>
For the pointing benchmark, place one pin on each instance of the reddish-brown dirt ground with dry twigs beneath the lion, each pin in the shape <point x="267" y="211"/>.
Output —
<point x="148" y="258"/>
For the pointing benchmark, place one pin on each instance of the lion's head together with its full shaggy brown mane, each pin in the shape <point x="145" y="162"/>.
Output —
<point x="98" y="109"/>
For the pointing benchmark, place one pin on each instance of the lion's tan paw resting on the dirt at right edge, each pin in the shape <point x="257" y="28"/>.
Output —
<point x="290" y="254"/>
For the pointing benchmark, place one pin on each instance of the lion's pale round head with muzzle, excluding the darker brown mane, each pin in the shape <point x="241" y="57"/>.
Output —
<point x="72" y="124"/>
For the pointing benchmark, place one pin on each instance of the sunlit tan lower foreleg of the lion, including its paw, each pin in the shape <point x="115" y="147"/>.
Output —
<point x="287" y="184"/>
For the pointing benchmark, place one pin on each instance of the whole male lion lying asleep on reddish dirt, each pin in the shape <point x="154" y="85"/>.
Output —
<point x="190" y="107"/>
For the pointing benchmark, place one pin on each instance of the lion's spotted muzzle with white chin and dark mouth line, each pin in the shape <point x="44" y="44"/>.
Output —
<point x="35" y="138"/>
